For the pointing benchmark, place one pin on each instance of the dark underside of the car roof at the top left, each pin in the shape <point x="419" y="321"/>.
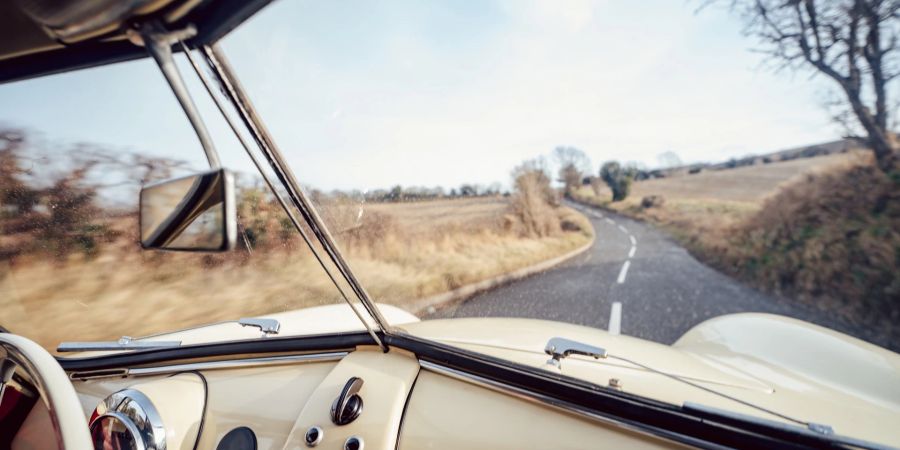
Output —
<point x="43" y="37"/>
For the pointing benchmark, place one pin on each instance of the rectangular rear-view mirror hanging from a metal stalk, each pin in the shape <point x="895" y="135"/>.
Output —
<point x="193" y="213"/>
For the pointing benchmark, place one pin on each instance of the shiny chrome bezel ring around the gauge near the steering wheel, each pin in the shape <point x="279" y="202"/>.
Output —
<point x="139" y="416"/>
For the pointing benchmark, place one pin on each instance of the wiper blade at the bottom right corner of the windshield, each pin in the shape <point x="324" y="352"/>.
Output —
<point x="819" y="432"/>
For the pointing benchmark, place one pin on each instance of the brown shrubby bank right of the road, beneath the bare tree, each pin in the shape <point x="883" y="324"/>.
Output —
<point x="831" y="238"/>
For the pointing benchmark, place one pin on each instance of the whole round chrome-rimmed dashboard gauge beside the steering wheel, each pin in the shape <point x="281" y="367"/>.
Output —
<point x="127" y="420"/>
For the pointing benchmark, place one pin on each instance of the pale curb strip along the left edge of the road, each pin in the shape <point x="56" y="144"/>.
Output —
<point x="427" y="304"/>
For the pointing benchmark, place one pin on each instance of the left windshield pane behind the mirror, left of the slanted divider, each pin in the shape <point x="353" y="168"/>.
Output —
<point x="74" y="151"/>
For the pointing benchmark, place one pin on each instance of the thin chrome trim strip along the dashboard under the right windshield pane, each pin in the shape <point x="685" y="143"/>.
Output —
<point x="544" y="400"/>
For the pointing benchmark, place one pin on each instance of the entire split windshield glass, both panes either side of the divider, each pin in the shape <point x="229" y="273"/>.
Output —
<point x="497" y="175"/>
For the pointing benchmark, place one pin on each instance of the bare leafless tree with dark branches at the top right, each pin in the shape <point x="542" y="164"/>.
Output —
<point x="854" y="43"/>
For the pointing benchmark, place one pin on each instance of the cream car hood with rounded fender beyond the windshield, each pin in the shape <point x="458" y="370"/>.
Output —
<point x="785" y="365"/>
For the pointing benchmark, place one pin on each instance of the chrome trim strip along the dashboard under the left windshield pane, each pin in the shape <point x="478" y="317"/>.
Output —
<point x="208" y="365"/>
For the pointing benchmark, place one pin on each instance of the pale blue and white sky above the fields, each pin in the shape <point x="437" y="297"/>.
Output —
<point x="369" y="94"/>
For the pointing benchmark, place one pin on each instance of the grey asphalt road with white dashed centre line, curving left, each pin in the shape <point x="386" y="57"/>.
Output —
<point x="634" y="280"/>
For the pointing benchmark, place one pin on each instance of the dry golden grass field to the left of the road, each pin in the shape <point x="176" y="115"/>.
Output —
<point x="400" y="251"/>
